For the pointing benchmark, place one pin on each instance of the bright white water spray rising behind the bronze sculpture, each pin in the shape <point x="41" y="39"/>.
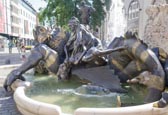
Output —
<point x="117" y="22"/>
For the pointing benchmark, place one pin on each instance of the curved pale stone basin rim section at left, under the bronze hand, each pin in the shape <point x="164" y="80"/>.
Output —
<point x="29" y="106"/>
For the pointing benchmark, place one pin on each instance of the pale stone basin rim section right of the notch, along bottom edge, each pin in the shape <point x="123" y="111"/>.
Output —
<point x="145" y="109"/>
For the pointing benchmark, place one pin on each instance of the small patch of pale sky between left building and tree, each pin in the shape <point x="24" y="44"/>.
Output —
<point x="37" y="4"/>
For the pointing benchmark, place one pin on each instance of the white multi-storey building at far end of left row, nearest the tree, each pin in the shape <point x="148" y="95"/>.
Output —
<point x="27" y="22"/>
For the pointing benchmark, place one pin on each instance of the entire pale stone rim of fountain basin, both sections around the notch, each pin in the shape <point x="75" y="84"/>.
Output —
<point x="28" y="106"/>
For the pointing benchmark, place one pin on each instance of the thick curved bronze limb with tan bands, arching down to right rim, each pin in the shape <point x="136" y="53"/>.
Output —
<point x="156" y="82"/>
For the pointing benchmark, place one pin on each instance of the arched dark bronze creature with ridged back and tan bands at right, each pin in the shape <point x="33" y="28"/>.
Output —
<point x="134" y="59"/>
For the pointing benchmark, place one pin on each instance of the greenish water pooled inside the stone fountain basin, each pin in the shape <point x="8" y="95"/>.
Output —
<point x="72" y="94"/>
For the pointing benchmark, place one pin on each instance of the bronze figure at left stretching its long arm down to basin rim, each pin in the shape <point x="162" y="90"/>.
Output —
<point x="48" y="48"/>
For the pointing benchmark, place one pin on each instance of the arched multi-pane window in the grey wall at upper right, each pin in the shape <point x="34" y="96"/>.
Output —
<point x="133" y="10"/>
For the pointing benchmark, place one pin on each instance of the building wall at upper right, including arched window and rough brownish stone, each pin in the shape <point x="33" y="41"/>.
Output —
<point x="149" y="19"/>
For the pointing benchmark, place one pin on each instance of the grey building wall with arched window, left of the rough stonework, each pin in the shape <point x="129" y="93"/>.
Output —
<point x="135" y="13"/>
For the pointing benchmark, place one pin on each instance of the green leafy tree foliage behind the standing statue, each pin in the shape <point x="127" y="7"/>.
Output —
<point x="63" y="10"/>
